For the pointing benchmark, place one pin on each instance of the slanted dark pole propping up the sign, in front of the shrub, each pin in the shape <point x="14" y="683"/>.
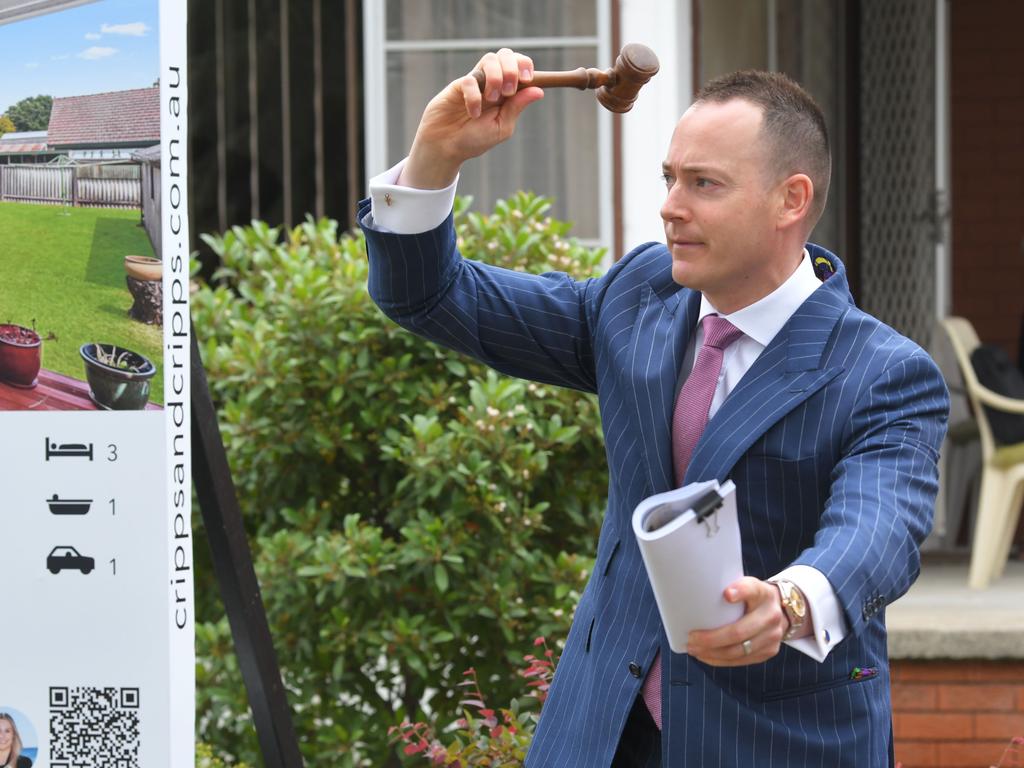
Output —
<point x="239" y="588"/>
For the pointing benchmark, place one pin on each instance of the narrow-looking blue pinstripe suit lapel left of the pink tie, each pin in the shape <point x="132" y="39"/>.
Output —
<point x="663" y="330"/>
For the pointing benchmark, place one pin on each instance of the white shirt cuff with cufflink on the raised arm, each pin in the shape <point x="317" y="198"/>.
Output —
<point x="406" y="210"/>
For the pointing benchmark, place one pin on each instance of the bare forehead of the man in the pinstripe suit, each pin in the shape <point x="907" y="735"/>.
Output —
<point x="720" y="135"/>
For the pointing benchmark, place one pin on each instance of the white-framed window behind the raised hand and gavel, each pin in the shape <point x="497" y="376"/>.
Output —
<point x="562" y="148"/>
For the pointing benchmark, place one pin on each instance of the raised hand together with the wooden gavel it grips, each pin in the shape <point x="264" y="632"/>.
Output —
<point x="481" y="110"/>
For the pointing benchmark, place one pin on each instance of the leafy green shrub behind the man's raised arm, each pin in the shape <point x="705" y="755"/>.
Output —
<point x="411" y="514"/>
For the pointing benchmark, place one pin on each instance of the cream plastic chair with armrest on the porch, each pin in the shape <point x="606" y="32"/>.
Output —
<point x="1003" y="467"/>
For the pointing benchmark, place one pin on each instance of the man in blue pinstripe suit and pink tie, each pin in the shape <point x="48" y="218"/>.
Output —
<point x="828" y="421"/>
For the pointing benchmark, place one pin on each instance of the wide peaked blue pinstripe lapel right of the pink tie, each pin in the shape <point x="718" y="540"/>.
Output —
<point x="787" y="373"/>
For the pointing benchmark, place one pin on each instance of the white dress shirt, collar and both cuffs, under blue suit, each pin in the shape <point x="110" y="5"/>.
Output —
<point x="405" y="210"/>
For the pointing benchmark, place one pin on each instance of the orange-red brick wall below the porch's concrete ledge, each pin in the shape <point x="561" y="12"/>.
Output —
<point x="957" y="714"/>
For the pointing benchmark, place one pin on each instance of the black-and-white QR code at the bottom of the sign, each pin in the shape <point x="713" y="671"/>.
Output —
<point x="95" y="728"/>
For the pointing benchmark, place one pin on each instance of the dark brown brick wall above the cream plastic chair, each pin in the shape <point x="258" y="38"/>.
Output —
<point x="988" y="111"/>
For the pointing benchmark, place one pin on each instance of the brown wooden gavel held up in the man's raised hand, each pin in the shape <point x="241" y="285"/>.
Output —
<point x="617" y="89"/>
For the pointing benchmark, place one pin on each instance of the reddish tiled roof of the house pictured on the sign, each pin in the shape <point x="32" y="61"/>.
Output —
<point x="106" y="119"/>
